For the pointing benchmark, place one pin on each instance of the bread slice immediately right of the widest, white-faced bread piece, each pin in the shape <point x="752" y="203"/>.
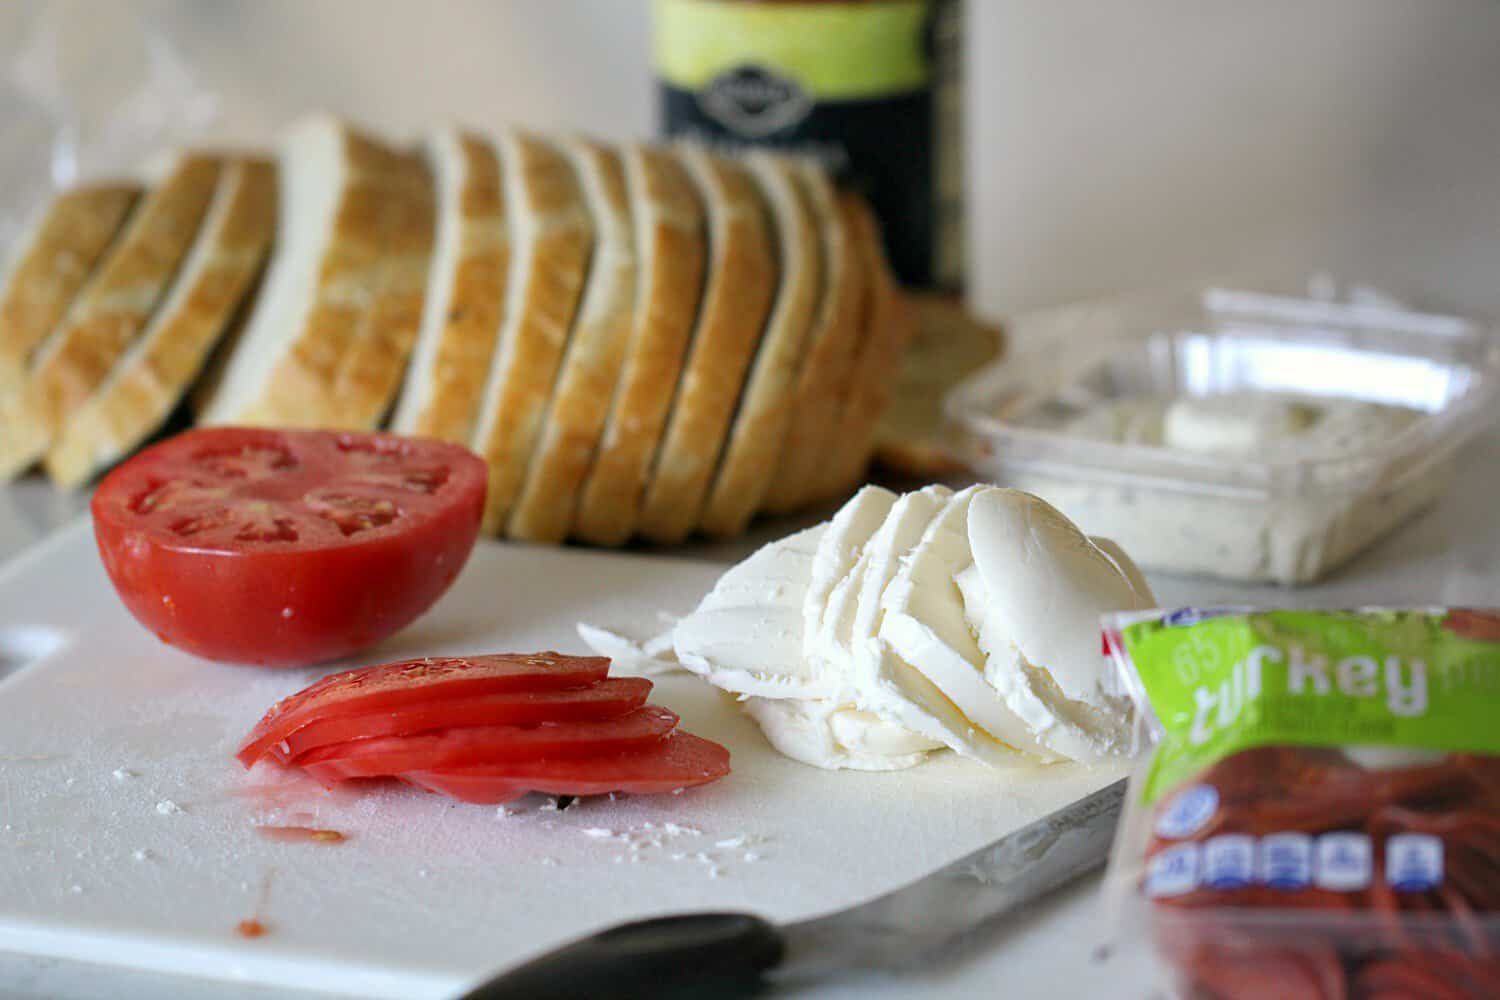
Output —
<point x="466" y="292"/>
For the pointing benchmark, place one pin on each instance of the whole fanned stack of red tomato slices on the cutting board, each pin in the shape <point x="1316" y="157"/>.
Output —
<point x="487" y="729"/>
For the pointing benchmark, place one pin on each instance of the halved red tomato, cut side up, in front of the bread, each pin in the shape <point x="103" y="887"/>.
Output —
<point x="286" y="548"/>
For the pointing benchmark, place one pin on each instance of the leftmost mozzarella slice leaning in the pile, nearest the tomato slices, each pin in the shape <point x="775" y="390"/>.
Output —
<point x="746" y="636"/>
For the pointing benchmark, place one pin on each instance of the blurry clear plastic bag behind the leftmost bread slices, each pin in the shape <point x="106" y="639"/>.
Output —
<point x="89" y="92"/>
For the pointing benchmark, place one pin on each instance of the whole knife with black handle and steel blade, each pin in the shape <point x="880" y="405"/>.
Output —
<point x="740" y="954"/>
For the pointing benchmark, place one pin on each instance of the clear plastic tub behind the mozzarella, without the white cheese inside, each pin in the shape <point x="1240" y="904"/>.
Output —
<point x="1265" y="518"/>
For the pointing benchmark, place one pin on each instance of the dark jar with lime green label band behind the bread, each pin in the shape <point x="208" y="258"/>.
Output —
<point x="868" y="88"/>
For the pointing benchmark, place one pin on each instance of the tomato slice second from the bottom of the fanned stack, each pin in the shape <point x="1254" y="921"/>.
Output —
<point x="388" y="756"/>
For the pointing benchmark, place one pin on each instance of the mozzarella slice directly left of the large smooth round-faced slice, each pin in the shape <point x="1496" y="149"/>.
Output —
<point x="925" y="624"/>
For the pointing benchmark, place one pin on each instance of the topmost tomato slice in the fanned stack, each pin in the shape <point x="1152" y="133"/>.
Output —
<point x="428" y="683"/>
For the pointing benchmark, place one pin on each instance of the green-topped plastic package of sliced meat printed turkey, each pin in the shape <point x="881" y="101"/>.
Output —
<point x="1318" y="813"/>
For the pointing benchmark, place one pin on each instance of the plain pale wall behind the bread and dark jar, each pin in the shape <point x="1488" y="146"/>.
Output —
<point x="1112" y="145"/>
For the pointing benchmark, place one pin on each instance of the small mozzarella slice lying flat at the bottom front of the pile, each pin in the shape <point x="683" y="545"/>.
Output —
<point x="829" y="735"/>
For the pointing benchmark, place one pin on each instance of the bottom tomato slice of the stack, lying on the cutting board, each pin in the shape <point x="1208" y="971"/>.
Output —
<point x="682" y="761"/>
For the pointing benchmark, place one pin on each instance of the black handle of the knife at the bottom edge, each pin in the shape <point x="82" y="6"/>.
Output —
<point x="709" y="956"/>
